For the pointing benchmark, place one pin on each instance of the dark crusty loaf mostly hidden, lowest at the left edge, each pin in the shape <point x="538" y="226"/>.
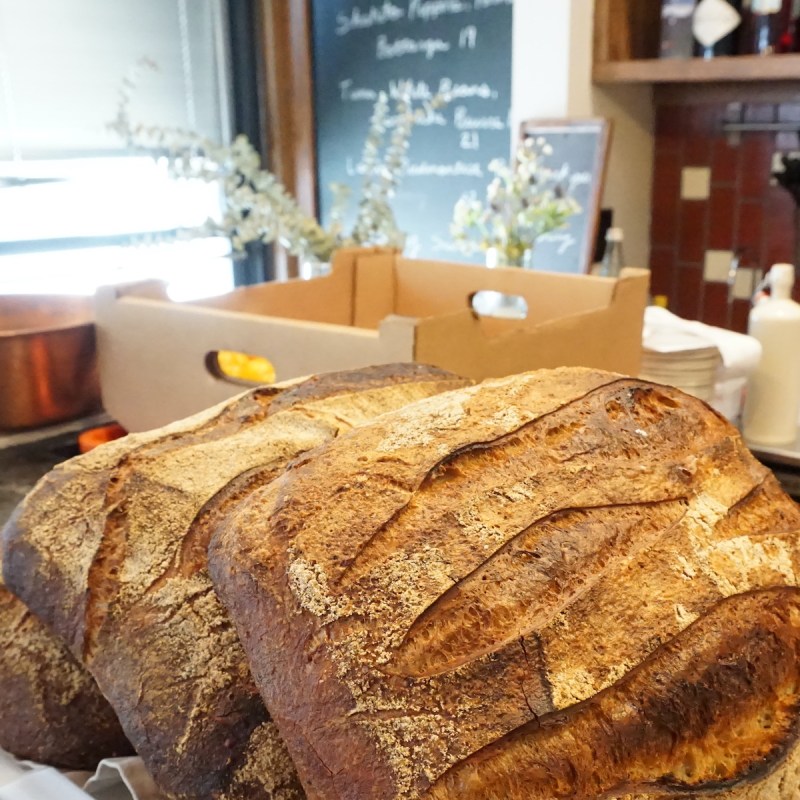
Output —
<point x="51" y="710"/>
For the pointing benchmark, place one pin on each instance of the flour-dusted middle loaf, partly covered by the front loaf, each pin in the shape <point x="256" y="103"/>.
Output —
<point x="112" y="550"/>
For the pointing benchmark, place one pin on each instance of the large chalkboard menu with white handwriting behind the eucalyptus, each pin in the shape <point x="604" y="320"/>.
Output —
<point x="462" y="47"/>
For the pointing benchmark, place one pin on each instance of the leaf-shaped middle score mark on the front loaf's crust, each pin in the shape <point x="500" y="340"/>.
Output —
<point x="521" y="587"/>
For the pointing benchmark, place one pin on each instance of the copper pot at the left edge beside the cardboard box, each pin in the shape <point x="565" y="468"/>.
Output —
<point x="48" y="362"/>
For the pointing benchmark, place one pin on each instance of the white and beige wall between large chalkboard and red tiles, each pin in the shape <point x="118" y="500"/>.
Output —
<point x="551" y="77"/>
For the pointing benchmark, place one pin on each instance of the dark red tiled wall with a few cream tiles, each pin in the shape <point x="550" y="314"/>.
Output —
<point x="711" y="197"/>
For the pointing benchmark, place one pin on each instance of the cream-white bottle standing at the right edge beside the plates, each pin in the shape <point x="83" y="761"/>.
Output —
<point x="773" y="394"/>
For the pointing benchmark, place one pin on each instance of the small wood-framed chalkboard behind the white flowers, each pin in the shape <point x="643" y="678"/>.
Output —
<point x="580" y="151"/>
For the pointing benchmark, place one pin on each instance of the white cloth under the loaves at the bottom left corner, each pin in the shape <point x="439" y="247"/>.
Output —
<point x="114" y="779"/>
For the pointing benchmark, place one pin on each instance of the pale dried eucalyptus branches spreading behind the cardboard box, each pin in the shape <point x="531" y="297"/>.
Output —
<point x="257" y="205"/>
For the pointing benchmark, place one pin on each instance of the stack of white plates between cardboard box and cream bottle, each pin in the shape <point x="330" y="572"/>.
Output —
<point x="681" y="359"/>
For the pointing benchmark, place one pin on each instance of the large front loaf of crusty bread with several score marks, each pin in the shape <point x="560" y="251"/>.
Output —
<point x="561" y="584"/>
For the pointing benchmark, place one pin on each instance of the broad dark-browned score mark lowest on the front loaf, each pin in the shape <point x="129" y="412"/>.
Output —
<point x="716" y="707"/>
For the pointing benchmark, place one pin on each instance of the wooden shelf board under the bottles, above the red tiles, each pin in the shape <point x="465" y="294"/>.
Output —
<point x="734" y="69"/>
